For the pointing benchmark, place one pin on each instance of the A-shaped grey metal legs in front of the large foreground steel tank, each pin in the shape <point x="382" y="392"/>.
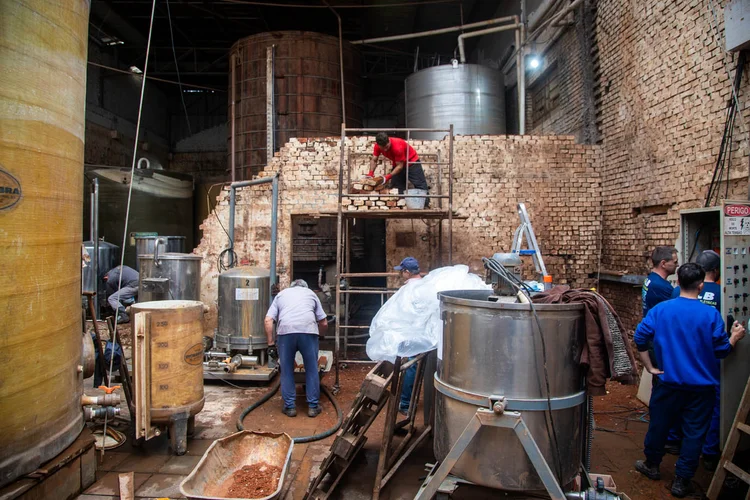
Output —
<point x="495" y="417"/>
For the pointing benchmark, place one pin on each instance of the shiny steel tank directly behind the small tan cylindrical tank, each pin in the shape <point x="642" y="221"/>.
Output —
<point x="169" y="276"/>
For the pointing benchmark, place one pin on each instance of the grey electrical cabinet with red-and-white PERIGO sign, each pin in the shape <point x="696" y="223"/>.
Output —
<point x="726" y="230"/>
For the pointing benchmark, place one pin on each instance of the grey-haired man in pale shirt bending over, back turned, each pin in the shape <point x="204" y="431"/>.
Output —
<point x="299" y="319"/>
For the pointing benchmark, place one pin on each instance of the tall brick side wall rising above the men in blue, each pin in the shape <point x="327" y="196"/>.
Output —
<point x="664" y="90"/>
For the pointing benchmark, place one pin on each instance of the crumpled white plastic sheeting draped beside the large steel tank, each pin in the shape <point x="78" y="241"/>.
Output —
<point x="409" y="322"/>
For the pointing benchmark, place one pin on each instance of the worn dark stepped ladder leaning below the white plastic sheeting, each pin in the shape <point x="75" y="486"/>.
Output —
<point x="380" y="389"/>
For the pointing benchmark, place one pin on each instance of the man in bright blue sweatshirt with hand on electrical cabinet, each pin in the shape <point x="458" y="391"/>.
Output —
<point x="688" y="338"/>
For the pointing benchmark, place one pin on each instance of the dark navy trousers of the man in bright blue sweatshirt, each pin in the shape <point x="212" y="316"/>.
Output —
<point x="668" y="405"/>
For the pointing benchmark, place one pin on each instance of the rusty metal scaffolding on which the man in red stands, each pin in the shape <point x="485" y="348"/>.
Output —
<point x="343" y="239"/>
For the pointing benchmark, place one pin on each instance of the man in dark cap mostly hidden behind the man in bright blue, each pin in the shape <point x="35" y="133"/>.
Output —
<point x="710" y="261"/>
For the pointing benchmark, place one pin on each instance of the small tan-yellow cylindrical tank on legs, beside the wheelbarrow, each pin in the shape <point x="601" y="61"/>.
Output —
<point x="168" y="365"/>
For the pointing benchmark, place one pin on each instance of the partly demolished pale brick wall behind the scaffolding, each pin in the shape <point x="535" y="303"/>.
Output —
<point x="557" y="178"/>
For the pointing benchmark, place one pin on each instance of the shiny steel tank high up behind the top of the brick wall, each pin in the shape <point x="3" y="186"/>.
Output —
<point x="469" y="96"/>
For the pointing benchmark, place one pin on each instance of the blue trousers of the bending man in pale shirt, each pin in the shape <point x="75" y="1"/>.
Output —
<point x="288" y="345"/>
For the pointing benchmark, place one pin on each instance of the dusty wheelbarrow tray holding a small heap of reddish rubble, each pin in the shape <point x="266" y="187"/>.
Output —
<point x="212" y="476"/>
